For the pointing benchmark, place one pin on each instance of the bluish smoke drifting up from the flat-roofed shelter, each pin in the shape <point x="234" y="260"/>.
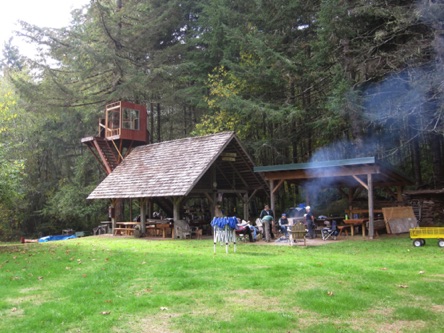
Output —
<point x="405" y="106"/>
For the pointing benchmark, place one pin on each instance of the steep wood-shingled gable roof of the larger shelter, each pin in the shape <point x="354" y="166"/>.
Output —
<point x="175" y="168"/>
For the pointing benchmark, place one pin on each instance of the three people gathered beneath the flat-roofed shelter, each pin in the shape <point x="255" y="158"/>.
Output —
<point x="267" y="219"/>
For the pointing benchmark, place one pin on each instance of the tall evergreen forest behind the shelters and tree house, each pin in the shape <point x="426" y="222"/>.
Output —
<point x="297" y="80"/>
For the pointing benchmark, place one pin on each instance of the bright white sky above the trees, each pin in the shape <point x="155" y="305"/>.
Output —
<point x="44" y="13"/>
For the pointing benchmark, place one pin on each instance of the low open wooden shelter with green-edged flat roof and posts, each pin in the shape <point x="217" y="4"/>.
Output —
<point x="350" y="176"/>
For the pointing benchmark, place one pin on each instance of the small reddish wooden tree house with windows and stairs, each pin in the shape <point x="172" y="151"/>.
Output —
<point x="123" y="128"/>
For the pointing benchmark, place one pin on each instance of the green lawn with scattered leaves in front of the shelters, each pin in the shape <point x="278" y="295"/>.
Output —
<point x="116" y="284"/>
